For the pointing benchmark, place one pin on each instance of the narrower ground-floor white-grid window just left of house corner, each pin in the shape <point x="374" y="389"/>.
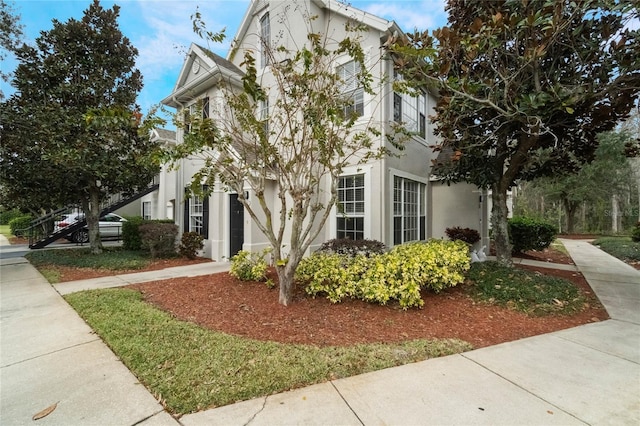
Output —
<point x="350" y="217"/>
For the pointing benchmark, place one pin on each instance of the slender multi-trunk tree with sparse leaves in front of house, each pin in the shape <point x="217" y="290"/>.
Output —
<point x="290" y="138"/>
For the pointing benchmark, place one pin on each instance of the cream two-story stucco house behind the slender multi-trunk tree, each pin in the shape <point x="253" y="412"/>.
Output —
<point x="391" y="200"/>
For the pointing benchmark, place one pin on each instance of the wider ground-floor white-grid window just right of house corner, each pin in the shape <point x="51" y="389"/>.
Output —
<point x="409" y="210"/>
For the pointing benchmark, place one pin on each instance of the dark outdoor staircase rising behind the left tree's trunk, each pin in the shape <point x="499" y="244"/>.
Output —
<point x="42" y="232"/>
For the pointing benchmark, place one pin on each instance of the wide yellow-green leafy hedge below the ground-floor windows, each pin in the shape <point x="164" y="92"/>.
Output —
<point x="397" y="275"/>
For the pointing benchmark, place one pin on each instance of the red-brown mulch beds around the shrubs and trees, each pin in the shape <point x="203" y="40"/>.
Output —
<point x="250" y="309"/>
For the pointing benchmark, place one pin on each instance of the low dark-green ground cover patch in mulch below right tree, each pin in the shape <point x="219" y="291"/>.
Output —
<point x="525" y="291"/>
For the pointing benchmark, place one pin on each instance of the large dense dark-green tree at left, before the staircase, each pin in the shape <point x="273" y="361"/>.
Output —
<point x="71" y="132"/>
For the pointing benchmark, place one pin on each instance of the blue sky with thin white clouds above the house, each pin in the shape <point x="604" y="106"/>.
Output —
<point x="161" y="30"/>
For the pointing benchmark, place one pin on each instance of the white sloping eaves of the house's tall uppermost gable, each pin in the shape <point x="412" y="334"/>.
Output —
<point x="348" y="11"/>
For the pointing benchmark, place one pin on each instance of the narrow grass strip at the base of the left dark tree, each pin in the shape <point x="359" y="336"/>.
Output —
<point x="111" y="258"/>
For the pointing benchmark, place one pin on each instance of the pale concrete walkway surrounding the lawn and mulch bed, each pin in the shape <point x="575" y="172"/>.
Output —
<point x="585" y="375"/>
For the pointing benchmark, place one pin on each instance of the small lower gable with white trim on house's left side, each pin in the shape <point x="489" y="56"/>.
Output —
<point x="214" y="68"/>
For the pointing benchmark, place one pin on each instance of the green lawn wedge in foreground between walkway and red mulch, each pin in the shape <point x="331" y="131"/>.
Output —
<point x="190" y="368"/>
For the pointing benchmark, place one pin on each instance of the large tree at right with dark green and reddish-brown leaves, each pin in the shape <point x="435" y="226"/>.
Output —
<point x="525" y="87"/>
